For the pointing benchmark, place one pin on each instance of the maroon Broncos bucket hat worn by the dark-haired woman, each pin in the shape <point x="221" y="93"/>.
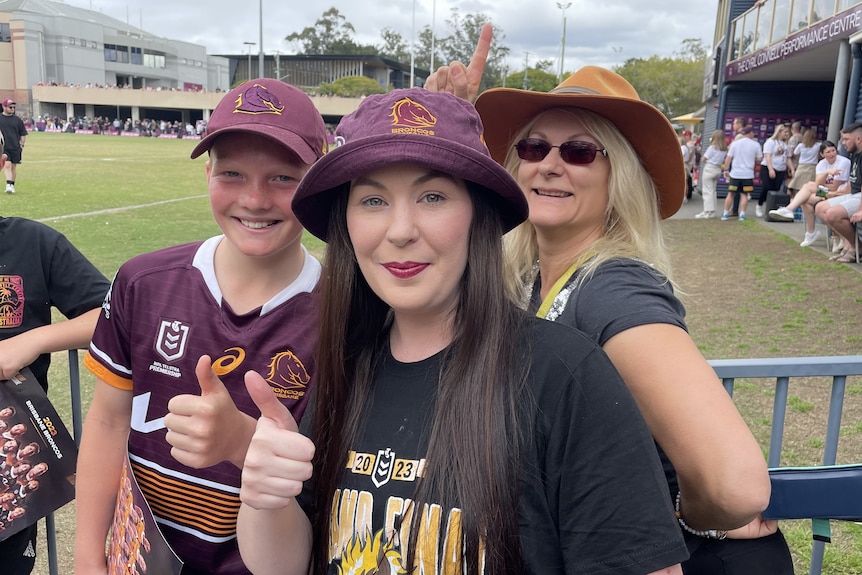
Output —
<point x="432" y="129"/>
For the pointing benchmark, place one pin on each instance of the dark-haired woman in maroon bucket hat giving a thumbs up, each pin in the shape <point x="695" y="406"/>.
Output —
<point x="451" y="431"/>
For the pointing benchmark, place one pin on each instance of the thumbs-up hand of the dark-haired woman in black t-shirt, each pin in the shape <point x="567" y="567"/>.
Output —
<point x="279" y="457"/>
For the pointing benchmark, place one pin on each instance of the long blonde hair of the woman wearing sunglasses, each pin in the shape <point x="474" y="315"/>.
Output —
<point x="632" y="226"/>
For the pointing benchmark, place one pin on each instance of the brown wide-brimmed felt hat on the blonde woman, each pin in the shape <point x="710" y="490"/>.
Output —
<point x="505" y="111"/>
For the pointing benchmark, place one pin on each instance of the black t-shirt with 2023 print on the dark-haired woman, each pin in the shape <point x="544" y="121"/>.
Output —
<point x="593" y="497"/>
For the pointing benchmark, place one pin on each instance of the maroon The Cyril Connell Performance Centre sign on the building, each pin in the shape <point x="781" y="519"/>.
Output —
<point x="835" y="28"/>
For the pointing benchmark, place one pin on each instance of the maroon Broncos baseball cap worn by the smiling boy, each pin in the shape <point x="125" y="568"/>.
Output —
<point x="270" y="108"/>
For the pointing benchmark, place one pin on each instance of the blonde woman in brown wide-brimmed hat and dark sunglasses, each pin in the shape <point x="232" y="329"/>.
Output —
<point x="600" y="170"/>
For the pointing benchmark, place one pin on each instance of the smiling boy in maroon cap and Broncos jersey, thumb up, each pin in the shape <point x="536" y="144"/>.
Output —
<point x="181" y="327"/>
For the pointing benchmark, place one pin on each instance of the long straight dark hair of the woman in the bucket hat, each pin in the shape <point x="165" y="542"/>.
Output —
<point x="475" y="440"/>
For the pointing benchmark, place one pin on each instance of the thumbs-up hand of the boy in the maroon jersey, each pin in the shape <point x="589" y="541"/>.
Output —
<point x="206" y="429"/>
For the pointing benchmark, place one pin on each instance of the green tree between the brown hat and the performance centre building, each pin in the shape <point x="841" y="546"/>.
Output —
<point x="673" y="85"/>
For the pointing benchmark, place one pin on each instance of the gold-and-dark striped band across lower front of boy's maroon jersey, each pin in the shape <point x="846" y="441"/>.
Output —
<point x="201" y="508"/>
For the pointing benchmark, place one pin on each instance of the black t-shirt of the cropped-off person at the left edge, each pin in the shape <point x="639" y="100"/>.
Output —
<point x="41" y="269"/>
